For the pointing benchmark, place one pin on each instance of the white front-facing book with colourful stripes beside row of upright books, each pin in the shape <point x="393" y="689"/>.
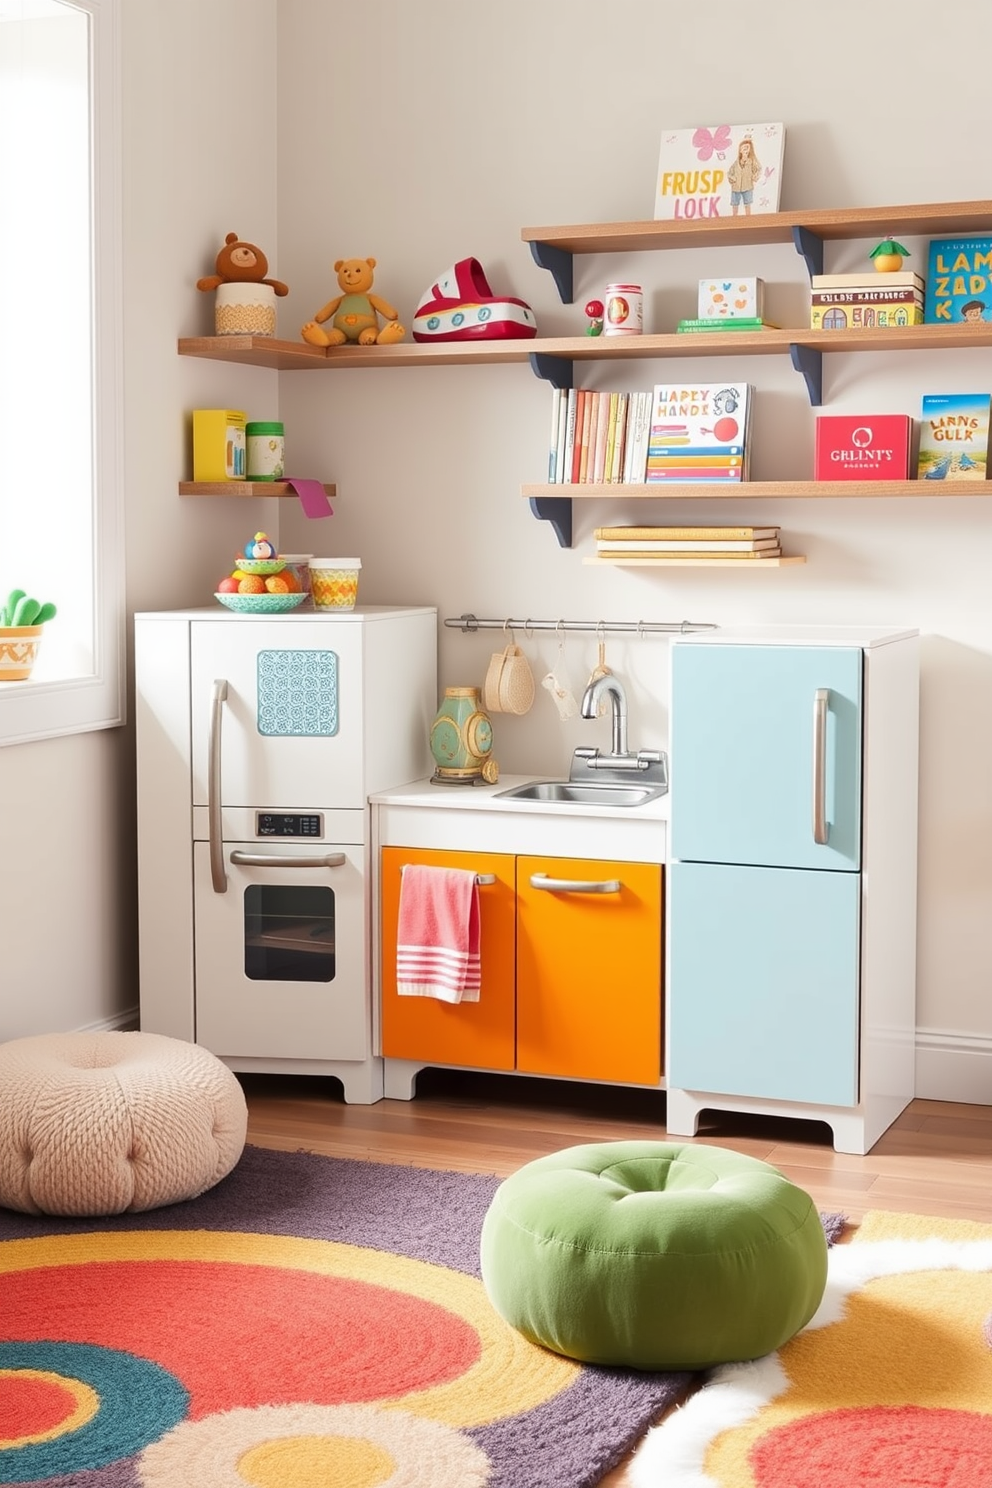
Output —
<point x="700" y="434"/>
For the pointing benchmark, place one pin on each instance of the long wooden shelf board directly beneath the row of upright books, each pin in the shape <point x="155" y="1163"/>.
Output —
<point x="759" y="490"/>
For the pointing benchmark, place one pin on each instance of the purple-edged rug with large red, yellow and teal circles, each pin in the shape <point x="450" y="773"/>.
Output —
<point x="310" y="1322"/>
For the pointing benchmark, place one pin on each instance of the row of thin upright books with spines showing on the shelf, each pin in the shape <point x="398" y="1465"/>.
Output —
<point x="599" y="438"/>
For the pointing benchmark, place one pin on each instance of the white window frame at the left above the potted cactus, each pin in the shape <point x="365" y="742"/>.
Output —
<point x="36" y="711"/>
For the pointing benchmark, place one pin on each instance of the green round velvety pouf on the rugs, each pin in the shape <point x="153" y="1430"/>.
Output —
<point x="654" y="1255"/>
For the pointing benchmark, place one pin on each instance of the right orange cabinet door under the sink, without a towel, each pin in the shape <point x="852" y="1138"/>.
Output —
<point x="590" y="971"/>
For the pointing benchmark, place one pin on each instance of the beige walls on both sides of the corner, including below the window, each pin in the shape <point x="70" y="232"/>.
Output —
<point x="434" y="132"/>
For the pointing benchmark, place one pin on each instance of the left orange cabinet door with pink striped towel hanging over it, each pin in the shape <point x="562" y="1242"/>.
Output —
<point x="480" y="1035"/>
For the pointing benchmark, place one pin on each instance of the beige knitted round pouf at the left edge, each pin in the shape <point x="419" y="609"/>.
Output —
<point x="114" y="1123"/>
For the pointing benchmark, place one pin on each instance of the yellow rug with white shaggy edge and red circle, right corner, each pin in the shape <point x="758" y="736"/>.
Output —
<point x="890" y="1386"/>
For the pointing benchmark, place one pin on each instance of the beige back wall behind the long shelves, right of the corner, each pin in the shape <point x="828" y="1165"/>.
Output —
<point x="428" y="133"/>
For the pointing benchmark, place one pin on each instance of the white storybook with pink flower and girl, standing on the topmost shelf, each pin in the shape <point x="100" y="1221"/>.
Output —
<point x="722" y="170"/>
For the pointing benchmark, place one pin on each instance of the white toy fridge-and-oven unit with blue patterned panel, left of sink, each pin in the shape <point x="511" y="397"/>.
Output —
<point x="260" y="743"/>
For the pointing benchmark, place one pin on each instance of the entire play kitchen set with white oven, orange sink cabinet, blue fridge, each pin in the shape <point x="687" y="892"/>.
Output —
<point x="744" y="940"/>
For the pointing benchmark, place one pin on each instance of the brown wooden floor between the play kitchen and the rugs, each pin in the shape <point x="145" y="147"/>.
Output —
<point x="935" y="1160"/>
